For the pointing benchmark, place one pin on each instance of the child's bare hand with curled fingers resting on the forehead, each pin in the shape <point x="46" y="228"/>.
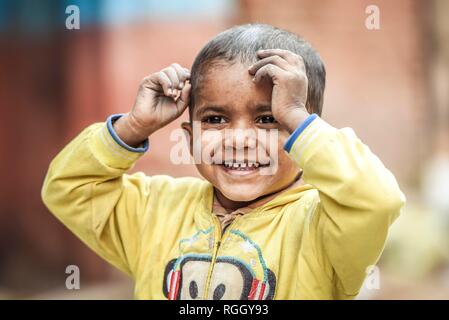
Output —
<point x="288" y="75"/>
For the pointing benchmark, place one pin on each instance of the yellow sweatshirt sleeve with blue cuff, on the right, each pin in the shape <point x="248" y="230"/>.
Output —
<point x="359" y="200"/>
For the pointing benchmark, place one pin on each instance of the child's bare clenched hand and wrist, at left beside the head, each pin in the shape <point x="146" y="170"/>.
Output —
<point x="162" y="97"/>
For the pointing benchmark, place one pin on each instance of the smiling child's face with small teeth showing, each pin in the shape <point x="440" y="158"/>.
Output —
<point x="227" y="98"/>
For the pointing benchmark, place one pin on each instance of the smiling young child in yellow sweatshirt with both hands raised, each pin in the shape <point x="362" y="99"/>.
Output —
<point x="308" y="229"/>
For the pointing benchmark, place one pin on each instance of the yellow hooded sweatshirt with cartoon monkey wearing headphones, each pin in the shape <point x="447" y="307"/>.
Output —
<point x="314" y="241"/>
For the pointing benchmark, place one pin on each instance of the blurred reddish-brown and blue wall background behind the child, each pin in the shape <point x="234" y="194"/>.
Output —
<point x="391" y="85"/>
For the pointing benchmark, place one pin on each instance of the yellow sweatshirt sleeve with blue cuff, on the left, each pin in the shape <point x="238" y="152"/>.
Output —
<point x="87" y="190"/>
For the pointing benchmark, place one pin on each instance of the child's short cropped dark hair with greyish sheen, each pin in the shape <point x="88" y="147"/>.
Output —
<point x="241" y="43"/>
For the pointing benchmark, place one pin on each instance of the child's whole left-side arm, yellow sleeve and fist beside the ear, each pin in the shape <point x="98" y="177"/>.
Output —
<point x="86" y="186"/>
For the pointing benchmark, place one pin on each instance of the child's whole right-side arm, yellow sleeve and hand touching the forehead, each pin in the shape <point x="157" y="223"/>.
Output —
<point x="358" y="197"/>
